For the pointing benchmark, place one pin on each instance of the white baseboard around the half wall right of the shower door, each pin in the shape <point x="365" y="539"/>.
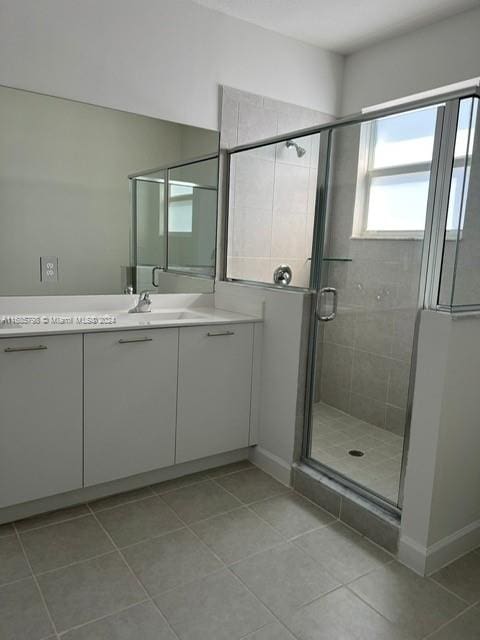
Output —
<point x="427" y="560"/>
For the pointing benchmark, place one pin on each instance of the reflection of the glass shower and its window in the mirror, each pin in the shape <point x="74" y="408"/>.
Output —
<point x="186" y="254"/>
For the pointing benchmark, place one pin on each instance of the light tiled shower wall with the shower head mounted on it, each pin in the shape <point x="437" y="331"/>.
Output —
<point x="272" y="202"/>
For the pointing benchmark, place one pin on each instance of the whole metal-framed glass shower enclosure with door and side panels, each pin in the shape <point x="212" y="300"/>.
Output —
<point x="395" y="228"/>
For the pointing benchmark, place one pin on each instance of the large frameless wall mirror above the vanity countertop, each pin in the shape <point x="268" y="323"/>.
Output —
<point x="92" y="199"/>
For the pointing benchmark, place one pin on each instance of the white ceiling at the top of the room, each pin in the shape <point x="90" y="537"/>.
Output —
<point x="343" y="26"/>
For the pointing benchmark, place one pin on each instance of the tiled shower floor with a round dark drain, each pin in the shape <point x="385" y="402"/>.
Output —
<point x="335" y="433"/>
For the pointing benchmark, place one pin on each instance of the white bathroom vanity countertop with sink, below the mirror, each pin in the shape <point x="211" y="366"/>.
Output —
<point x="51" y="323"/>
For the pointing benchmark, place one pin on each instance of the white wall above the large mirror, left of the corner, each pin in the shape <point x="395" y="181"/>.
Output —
<point x="163" y="58"/>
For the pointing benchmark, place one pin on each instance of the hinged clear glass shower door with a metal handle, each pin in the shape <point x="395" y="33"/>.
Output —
<point x="376" y="210"/>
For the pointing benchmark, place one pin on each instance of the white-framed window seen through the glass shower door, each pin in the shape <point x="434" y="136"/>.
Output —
<point x="394" y="175"/>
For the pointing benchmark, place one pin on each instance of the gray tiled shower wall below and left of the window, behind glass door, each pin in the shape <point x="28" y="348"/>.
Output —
<point x="366" y="352"/>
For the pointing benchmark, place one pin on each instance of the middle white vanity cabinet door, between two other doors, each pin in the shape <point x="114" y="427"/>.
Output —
<point x="130" y="402"/>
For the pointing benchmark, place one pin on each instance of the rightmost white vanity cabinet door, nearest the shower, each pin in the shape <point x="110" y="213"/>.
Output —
<point x="214" y="389"/>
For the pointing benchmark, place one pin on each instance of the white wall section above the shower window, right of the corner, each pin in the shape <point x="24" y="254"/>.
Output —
<point x="440" y="54"/>
